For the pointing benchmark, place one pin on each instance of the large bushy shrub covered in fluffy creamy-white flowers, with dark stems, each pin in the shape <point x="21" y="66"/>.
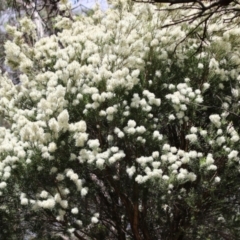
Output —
<point x="116" y="133"/>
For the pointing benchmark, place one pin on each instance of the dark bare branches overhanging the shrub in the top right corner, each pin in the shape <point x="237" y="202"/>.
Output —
<point x="226" y="10"/>
